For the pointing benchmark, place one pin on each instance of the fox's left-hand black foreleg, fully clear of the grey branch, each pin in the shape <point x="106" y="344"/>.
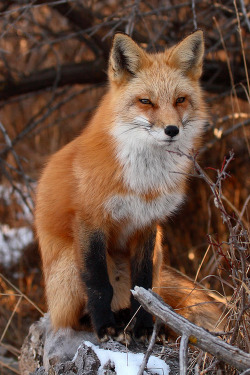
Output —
<point x="99" y="289"/>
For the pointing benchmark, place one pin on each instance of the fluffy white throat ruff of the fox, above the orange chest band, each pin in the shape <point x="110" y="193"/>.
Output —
<point x="147" y="164"/>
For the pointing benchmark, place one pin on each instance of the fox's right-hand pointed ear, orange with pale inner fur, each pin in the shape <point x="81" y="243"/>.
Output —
<point x="188" y="55"/>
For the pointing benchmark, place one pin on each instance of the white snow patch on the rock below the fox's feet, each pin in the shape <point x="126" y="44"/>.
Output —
<point x="128" y="363"/>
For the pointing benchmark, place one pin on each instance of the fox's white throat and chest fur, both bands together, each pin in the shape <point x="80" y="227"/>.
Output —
<point x="147" y="166"/>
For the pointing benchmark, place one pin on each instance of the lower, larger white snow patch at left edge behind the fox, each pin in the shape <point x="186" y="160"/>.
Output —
<point x="12" y="241"/>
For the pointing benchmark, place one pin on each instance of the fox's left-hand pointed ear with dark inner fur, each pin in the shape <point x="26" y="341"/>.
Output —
<point x="126" y="58"/>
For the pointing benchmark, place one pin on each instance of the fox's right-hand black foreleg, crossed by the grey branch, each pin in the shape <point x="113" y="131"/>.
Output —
<point x="142" y="275"/>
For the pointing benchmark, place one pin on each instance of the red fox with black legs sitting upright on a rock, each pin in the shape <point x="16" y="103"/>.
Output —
<point x="101" y="198"/>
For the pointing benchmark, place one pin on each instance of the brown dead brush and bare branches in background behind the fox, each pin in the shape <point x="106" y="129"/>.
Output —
<point x="53" y="62"/>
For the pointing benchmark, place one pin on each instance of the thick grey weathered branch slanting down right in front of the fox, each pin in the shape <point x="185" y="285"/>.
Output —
<point x="197" y="335"/>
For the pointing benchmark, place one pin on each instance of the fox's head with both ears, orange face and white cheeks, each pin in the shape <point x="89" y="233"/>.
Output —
<point x="156" y="97"/>
